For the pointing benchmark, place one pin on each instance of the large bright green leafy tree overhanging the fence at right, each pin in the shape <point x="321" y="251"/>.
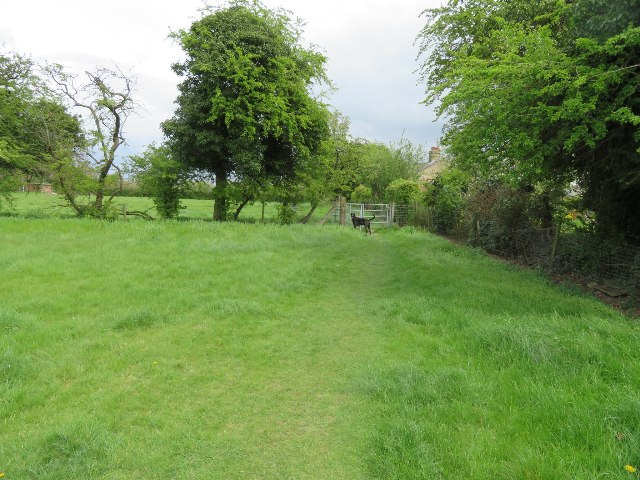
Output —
<point x="529" y="102"/>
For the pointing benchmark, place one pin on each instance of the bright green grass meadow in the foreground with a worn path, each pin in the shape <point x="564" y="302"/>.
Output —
<point x="195" y="350"/>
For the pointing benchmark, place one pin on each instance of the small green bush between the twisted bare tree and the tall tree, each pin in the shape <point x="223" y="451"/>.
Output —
<point x="162" y="178"/>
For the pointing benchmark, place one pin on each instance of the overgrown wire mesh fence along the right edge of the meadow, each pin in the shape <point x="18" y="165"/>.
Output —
<point x="610" y="267"/>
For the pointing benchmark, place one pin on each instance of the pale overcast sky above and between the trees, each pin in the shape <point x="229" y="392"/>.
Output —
<point x="369" y="45"/>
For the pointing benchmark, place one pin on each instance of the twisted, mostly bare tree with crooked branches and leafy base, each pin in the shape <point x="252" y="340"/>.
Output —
<point x="106" y="97"/>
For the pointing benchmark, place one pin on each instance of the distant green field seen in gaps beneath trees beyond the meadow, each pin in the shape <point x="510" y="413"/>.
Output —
<point x="41" y="205"/>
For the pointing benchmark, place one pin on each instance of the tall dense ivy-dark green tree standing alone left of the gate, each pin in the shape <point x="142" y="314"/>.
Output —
<point x="246" y="107"/>
